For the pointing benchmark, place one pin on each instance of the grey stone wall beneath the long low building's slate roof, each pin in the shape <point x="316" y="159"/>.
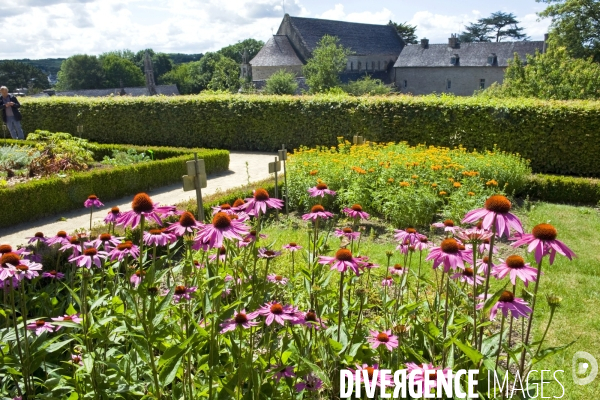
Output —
<point x="463" y="80"/>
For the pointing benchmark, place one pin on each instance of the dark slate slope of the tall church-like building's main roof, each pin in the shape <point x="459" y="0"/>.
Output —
<point x="363" y="39"/>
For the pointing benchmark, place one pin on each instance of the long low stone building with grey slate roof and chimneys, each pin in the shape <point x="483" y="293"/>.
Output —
<point x="458" y="68"/>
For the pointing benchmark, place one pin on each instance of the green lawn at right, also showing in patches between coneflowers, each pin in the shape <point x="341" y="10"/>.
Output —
<point x="577" y="282"/>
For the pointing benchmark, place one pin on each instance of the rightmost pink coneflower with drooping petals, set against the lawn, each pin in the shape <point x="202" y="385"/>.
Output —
<point x="543" y="240"/>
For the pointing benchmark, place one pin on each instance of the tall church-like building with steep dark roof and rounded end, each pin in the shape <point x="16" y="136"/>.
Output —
<point x="375" y="47"/>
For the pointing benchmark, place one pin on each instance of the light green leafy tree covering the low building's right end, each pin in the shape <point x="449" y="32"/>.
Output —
<point x="551" y="75"/>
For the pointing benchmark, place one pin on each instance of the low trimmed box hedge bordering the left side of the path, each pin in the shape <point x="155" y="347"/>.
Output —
<point x="39" y="198"/>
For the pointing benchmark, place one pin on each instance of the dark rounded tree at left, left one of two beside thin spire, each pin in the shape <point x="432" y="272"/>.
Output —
<point x="81" y="71"/>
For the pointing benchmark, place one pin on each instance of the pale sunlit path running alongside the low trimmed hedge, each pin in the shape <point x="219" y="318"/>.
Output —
<point x="236" y="176"/>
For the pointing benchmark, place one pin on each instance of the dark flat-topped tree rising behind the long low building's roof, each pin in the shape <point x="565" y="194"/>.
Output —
<point x="496" y="27"/>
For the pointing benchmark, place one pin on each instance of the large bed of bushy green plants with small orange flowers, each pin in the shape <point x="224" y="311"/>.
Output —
<point x="407" y="185"/>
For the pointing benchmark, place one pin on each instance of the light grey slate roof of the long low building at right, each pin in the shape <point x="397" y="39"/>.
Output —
<point x="470" y="54"/>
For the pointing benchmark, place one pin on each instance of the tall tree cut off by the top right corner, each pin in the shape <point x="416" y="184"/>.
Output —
<point x="575" y="25"/>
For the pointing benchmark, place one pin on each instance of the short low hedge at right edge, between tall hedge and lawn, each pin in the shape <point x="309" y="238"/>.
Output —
<point x="563" y="189"/>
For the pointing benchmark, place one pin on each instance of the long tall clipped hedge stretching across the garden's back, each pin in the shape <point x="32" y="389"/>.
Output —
<point x="558" y="136"/>
